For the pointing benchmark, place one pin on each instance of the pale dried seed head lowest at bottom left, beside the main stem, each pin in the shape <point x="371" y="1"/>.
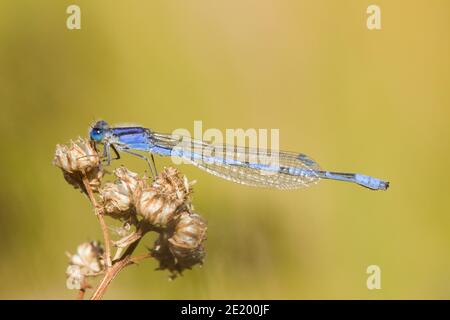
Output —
<point x="88" y="261"/>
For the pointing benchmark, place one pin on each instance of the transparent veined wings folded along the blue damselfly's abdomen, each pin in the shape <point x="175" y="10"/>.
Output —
<point x="253" y="167"/>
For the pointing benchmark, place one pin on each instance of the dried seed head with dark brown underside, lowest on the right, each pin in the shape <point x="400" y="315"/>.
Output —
<point x="180" y="247"/>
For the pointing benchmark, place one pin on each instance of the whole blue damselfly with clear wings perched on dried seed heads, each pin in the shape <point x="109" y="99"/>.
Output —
<point x="249" y="166"/>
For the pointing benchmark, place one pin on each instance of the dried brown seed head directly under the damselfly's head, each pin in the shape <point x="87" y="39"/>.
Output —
<point x="77" y="159"/>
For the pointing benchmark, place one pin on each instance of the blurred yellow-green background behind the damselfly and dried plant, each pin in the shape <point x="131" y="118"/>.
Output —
<point x="374" y="102"/>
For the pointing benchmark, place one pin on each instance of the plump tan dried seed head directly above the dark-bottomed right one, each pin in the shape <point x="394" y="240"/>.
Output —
<point x="160" y="203"/>
